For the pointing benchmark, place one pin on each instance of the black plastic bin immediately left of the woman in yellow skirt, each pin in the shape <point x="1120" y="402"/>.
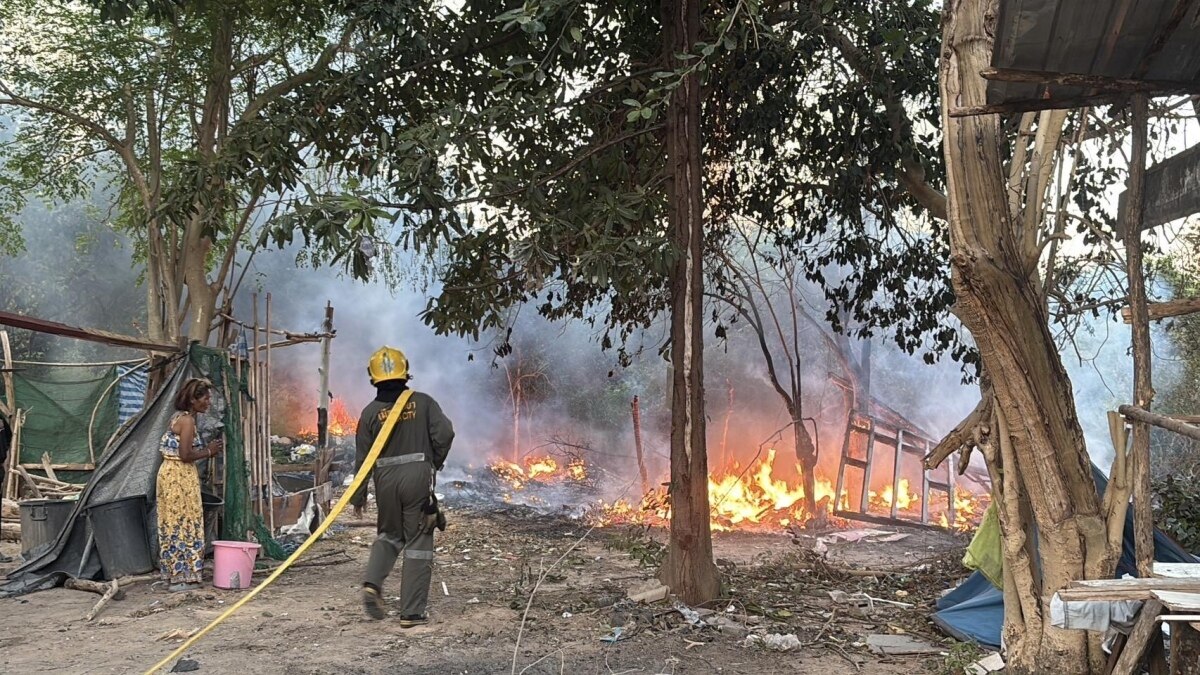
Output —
<point x="119" y="529"/>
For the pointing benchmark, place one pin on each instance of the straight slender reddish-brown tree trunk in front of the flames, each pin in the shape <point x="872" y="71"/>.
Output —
<point x="689" y="570"/>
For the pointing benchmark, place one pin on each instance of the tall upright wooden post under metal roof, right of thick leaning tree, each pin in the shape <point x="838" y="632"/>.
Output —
<point x="1143" y="391"/>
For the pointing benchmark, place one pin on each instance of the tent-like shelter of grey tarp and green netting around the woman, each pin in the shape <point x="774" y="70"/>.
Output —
<point x="130" y="468"/>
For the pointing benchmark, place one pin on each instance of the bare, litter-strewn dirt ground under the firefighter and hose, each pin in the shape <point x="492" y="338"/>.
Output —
<point x="310" y="622"/>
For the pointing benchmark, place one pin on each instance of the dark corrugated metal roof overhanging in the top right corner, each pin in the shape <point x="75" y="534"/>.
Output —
<point x="1145" y="40"/>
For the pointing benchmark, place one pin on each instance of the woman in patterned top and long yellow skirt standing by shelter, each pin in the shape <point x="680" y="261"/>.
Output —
<point x="181" y="513"/>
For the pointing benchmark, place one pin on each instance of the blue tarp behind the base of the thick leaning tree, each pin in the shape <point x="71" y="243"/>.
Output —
<point x="975" y="612"/>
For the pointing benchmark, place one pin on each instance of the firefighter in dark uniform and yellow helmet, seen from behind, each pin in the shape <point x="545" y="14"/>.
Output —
<point x="404" y="479"/>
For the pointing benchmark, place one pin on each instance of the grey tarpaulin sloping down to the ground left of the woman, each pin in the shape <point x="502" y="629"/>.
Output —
<point x="129" y="468"/>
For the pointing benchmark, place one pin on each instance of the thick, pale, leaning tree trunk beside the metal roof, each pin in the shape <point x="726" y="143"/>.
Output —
<point x="1043" y="458"/>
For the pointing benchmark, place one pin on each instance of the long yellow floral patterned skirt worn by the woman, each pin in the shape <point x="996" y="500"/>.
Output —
<point x="181" y="523"/>
